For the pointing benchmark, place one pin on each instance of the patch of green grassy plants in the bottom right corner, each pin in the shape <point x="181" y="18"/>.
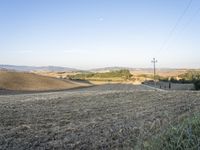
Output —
<point x="183" y="136"/>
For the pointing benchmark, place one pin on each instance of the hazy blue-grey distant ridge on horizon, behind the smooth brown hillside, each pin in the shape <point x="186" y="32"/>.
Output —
<point x="33" y="68"/>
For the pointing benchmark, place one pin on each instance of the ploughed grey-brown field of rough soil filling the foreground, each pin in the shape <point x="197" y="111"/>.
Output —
<point x="101" y="117"/>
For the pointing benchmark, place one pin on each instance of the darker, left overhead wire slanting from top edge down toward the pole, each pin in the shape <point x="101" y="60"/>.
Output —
<point x="176" y="25"/>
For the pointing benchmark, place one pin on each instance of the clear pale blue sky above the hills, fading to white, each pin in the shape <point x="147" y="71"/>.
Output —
<point x="89" y="34"/>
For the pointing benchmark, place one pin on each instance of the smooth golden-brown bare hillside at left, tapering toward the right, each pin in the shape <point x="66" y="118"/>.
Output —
<point x="21" y="81"/>
